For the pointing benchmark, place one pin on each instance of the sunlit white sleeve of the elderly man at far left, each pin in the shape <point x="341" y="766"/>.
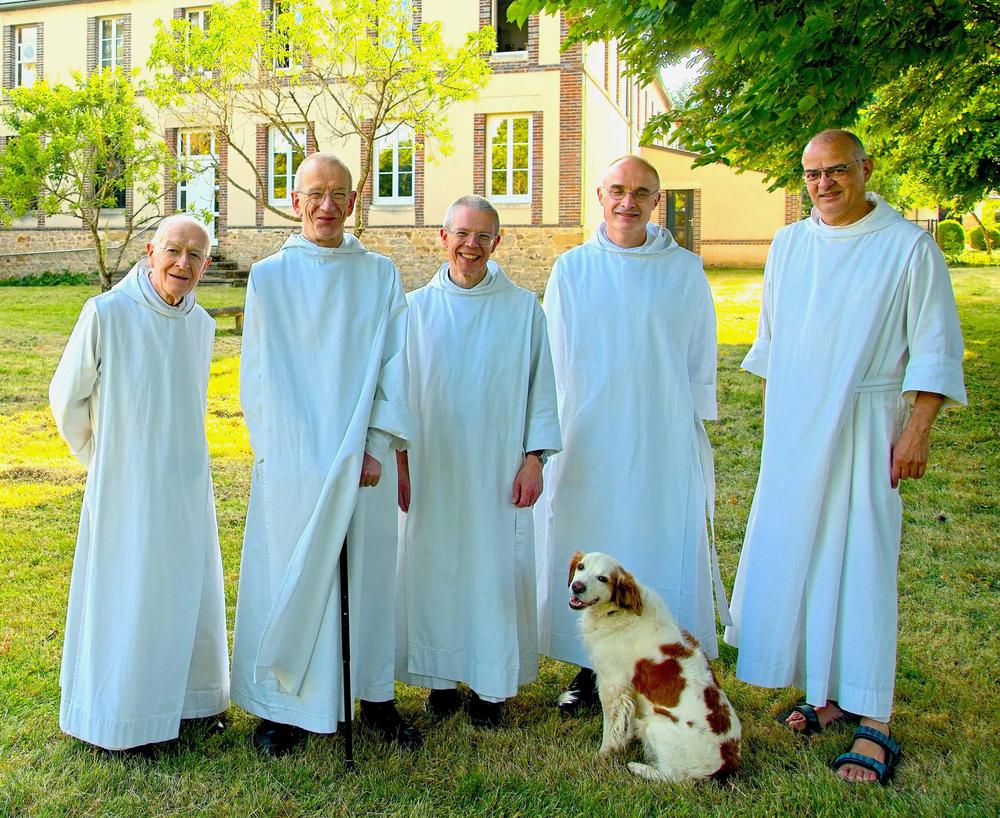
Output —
<point x="75" y="382"/>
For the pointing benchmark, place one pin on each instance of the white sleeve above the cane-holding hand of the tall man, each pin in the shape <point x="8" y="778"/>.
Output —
<point x="390" y="413"/>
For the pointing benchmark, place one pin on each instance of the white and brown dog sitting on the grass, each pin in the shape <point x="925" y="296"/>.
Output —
<point x="653" y="679"/>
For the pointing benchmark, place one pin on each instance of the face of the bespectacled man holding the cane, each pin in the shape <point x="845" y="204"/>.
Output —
<point x="323" y="201"/>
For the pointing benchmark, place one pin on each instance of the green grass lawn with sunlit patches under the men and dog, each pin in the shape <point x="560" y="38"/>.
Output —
<point x="947" y="700"/>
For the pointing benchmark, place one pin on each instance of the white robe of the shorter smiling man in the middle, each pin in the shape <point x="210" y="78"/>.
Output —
<point x="482" y="388"/>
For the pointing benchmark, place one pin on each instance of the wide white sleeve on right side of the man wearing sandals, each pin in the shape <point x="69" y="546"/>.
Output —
<point x="933" y="333"/>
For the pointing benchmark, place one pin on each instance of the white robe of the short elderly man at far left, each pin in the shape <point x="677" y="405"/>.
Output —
<point x="145" y="641"/>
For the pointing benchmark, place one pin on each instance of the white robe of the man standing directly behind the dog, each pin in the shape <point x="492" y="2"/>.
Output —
<point x="634" y="350"/>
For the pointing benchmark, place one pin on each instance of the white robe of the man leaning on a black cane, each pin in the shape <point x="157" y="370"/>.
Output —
<point x="322" y="380"/>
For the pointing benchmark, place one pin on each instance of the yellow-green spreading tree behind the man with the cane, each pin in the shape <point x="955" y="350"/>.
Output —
<point x="358" y="67"/>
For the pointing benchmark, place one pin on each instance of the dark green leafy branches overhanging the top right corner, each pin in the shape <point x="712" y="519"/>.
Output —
<point x="918" y="77"/>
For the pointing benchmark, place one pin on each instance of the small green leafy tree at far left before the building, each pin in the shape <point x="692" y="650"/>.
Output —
<point x="77" y="148"/>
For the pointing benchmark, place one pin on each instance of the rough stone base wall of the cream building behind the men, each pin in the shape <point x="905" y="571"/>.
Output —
<point x="526" y="253"/>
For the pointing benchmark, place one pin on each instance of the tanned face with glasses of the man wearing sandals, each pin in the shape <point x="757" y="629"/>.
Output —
<point x="839" y="201"/>
